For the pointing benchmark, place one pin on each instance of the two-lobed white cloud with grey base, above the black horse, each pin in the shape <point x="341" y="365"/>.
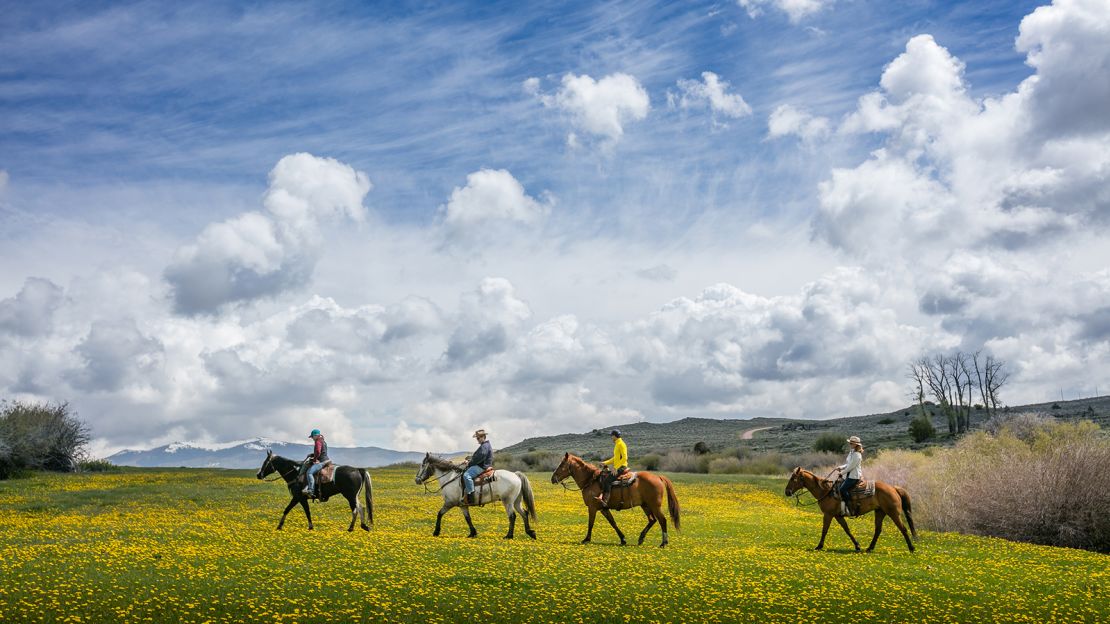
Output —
<point x="264" y="255"/>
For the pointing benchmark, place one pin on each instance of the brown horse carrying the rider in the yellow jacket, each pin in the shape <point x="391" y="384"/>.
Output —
<point x="648" y="494"/>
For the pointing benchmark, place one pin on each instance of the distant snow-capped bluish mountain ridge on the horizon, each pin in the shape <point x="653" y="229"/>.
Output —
<point x="250" y="454"/>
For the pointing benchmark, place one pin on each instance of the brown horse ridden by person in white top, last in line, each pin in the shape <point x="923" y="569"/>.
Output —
<point x="889" y="500"/>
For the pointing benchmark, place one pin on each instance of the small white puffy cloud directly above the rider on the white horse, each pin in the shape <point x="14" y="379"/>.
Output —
<point x="491" y="197"/>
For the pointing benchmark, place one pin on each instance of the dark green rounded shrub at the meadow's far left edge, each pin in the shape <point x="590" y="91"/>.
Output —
<point x="41" y="437"/>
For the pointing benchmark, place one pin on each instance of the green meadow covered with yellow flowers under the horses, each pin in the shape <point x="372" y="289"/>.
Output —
<point x="200" y="546"/>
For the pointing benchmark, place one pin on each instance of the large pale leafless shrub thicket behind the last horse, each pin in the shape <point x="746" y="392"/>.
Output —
<point x="1044" y="484"/>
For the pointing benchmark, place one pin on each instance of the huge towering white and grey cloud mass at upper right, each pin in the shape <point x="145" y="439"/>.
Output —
<point x="1008" y="173"/>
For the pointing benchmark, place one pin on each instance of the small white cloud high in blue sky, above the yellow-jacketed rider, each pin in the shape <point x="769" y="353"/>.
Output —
<point x="601" y="108"/>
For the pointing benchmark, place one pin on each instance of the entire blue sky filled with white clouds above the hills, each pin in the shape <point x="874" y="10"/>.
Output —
<point x="602" y="165"/>
